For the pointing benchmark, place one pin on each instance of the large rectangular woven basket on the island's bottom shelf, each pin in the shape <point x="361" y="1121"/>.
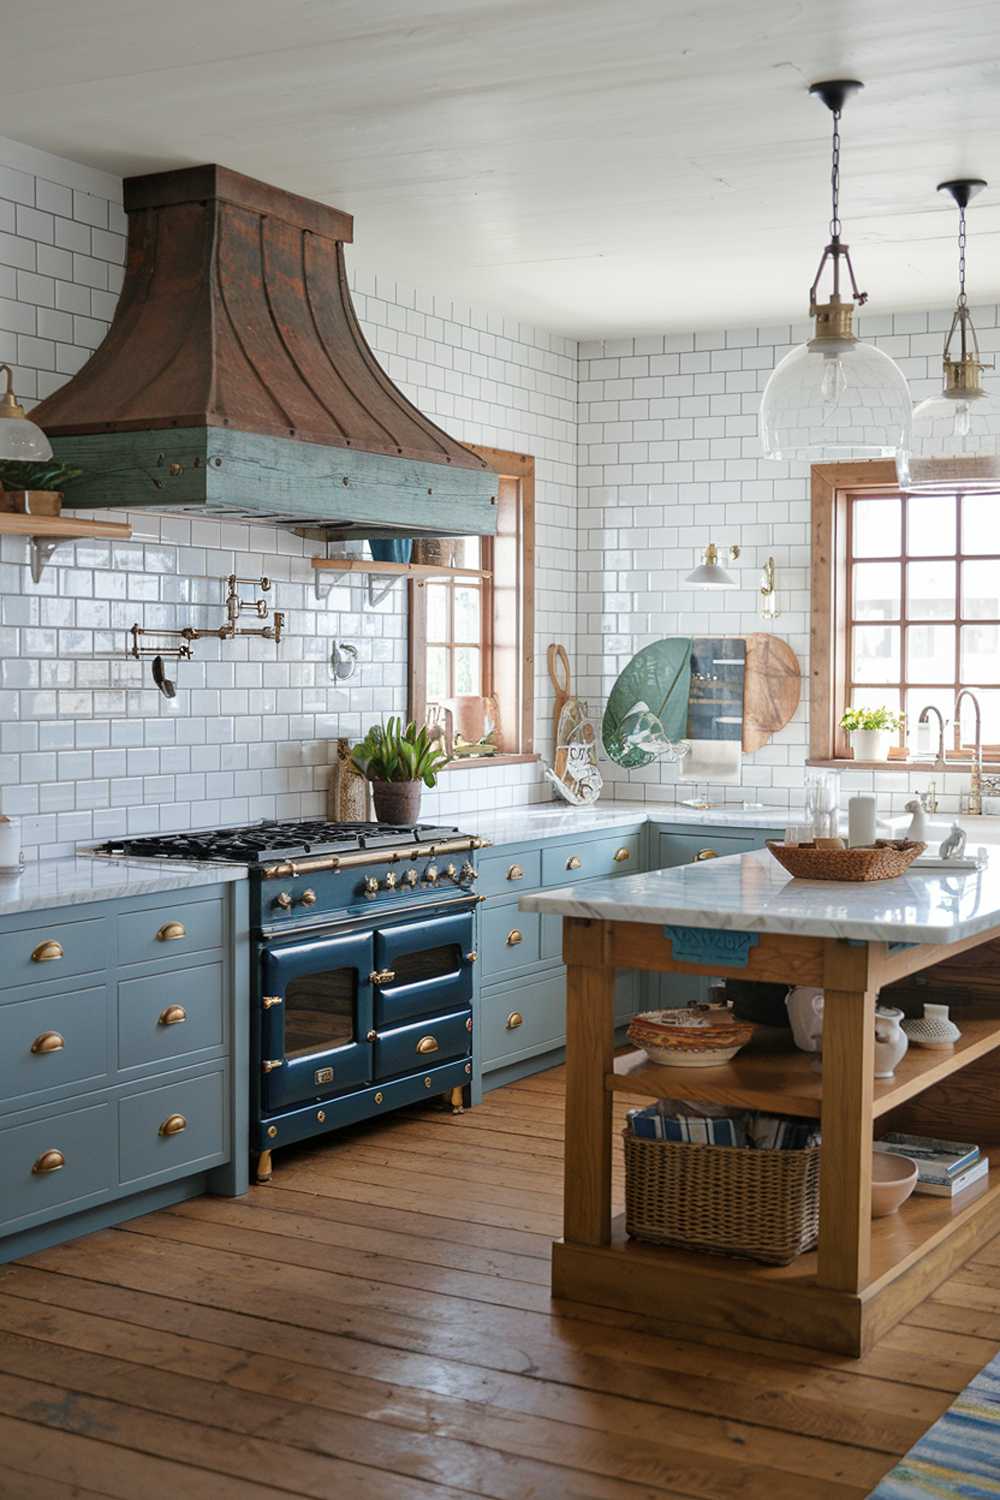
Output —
<point x="761" y="1205"/>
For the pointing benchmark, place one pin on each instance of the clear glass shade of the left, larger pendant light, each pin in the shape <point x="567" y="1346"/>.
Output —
<point x="836" y="400"/>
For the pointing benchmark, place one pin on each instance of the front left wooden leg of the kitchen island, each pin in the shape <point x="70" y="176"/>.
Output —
<point x="587" y="1214"/>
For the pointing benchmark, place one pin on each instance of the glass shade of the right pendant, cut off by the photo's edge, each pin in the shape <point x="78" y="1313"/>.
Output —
<point x="956" y="442"/>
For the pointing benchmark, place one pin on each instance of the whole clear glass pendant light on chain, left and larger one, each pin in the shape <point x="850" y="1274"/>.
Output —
<point x="836" y="398"/>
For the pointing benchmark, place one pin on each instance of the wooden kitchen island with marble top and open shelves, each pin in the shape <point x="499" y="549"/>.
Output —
<point x="747" y="919"/>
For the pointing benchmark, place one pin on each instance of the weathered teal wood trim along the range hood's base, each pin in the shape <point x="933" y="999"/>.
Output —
<point x="218" y="472"/>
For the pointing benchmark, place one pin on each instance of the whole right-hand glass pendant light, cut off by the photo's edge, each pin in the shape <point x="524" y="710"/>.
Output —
<point x="957" y="434"/>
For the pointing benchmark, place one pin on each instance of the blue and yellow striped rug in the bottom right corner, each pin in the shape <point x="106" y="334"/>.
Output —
<point x="959" y="1459"/>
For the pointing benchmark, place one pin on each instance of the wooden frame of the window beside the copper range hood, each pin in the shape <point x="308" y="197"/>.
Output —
<point x="509" y="637"/>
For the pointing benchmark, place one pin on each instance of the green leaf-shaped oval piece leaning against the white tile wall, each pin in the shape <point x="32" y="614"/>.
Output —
<point x="650" y="703"/>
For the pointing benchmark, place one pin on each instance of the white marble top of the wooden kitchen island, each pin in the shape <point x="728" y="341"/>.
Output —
<point x="752" y="893"/>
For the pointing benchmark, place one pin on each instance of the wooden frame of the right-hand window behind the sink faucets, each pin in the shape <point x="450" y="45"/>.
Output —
<point x="833" y="490"/>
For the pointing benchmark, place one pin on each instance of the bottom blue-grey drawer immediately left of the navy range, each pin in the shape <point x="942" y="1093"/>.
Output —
<point x="173" y="1129"/>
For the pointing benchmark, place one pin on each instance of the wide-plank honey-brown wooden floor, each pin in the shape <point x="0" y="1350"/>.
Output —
<point x="377" y="1324"/>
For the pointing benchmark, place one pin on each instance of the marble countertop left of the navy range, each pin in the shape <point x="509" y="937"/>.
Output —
<point x="77" y="881"/>
